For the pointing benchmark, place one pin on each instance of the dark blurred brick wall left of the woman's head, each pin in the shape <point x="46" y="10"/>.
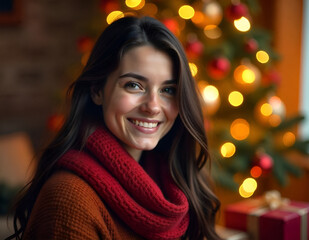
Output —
<point x="37" y="57"/>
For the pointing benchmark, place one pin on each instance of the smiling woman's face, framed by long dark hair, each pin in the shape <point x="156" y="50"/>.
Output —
<point x="139" y="99"/>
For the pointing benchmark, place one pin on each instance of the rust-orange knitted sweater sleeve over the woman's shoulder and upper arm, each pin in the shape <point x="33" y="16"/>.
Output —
<point x="68" y="208"/>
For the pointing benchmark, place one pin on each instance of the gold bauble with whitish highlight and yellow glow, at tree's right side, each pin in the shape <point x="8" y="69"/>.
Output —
<point x="270" y="111"/>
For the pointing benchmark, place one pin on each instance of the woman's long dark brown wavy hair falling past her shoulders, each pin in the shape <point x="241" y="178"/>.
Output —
<point x="188" y="152"/>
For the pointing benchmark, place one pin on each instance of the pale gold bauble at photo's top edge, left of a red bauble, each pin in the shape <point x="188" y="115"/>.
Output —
<point x="212" y="12"/>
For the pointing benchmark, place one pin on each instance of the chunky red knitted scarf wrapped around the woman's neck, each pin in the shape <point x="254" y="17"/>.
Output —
<point x="128" y="189"/>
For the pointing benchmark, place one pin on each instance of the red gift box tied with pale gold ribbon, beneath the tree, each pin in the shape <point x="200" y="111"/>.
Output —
<point x="287" y="222"/>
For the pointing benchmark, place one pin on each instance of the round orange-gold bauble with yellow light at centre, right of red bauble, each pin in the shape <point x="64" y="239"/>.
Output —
<point x="247" y="76"/>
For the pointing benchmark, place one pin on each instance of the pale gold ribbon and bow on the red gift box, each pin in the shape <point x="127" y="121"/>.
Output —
<point x="272" y="200"/>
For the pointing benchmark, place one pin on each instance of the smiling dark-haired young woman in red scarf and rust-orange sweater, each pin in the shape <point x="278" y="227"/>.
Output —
<point x="126" y="164"/>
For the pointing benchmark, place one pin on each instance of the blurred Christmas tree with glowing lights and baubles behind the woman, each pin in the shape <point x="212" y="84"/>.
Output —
<point x="234" y="66"/>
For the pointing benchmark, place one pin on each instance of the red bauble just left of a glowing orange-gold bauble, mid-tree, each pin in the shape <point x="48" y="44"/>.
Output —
<point x="218" y="68"/>
